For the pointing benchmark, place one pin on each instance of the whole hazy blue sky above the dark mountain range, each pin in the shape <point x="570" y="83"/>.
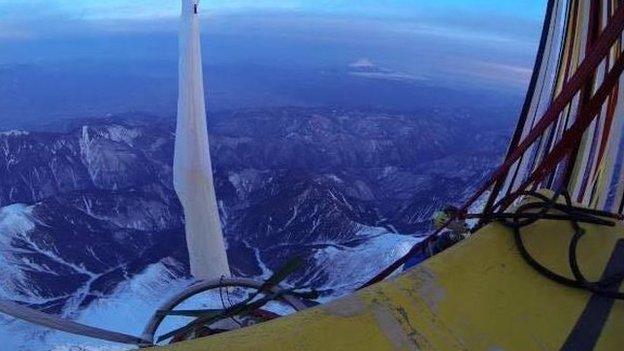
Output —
<point x="289" y="52"/>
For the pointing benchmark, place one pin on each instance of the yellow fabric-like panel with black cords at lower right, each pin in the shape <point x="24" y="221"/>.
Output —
<point x="478" y="295"/>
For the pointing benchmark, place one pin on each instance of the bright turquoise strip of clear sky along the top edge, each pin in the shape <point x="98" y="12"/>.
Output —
<point x="151" y="8"/>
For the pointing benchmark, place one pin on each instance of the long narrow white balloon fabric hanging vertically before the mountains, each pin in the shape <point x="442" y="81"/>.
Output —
<point x="192" y="173"/>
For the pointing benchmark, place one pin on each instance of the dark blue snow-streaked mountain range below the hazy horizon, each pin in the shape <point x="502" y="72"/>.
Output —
<point x="90" y="227"/>
